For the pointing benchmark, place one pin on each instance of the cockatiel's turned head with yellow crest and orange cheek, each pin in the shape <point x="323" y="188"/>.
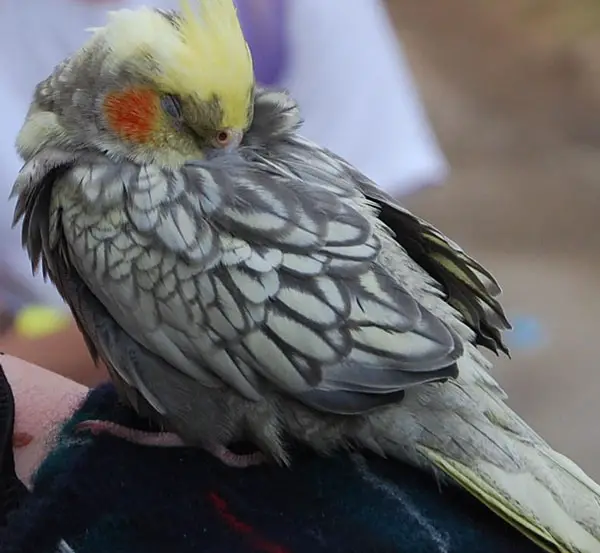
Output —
<point x="150" y="86"/>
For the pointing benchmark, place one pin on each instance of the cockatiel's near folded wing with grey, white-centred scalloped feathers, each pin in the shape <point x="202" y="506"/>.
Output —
<point x="252" y="271"/>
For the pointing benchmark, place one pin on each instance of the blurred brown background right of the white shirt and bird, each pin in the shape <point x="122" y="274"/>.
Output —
<point x="513" y="92"/>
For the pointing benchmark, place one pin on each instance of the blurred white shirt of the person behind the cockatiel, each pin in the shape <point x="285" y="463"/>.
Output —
<point x="346" y="70"/>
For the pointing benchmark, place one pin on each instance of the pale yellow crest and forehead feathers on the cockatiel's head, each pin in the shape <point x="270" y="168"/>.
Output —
<point x="204" y="55"/>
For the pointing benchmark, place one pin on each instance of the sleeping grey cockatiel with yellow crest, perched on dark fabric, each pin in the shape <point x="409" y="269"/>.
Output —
<point x="242" y="283"/>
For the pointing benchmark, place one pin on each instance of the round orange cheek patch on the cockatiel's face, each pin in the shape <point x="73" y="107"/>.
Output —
<point x="133" y="113"/>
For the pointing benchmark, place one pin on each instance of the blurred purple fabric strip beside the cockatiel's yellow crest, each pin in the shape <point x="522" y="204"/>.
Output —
<point x="264" y="25"/>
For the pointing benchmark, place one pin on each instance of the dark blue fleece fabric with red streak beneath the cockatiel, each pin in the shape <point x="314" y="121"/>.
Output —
<point x="105" y="495"/>
